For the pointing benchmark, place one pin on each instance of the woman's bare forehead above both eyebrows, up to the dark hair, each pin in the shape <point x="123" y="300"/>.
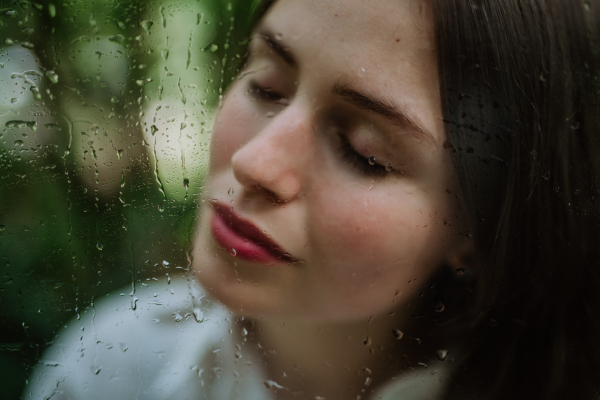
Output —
<point x="381" y="46"/>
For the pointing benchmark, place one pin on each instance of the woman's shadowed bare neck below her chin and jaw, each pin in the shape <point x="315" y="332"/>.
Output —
<point x="316" y="359"/>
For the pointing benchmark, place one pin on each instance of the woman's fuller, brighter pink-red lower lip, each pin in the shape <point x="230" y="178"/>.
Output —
<point x="239" y="246"/>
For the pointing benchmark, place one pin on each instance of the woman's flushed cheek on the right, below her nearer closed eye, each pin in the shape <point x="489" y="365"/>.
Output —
<point x="370" y="240"/>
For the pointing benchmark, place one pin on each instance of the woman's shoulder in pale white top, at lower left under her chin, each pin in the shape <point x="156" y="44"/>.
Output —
<point x="120" y="344"/>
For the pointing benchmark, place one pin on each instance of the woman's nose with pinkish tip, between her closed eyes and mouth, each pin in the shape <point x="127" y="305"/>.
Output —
<point x="275" y="159"/>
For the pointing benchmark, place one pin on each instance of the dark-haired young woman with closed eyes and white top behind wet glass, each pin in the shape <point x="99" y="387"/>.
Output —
<point x="401" y="204"/>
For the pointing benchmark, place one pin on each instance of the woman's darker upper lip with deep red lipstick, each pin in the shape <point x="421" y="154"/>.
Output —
<point x="250" y="231"/>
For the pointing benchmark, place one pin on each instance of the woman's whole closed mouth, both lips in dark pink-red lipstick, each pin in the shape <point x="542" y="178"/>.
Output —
<point x="235" y="233"/>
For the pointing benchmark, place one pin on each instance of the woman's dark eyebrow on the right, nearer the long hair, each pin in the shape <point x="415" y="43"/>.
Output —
<point x="386" y="108"/>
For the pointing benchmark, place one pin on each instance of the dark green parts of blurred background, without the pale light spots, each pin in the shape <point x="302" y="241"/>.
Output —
<point x="64" y="243"/>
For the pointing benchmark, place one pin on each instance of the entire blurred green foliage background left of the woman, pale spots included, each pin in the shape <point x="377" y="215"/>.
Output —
<point x="94" y="194"/>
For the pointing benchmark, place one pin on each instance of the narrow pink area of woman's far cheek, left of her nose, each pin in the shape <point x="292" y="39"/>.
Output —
<point x="235" y="125"/>
